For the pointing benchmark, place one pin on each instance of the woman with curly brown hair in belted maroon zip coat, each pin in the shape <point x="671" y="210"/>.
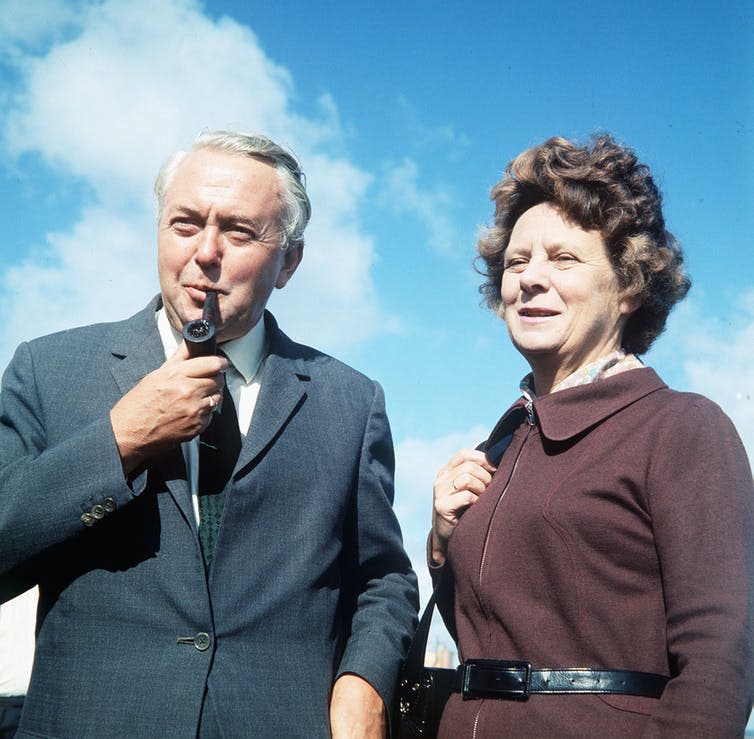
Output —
<point x="607" y="524"/>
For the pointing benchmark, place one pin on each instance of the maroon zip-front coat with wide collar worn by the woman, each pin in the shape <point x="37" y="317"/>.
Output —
<point x="616" y="533"/>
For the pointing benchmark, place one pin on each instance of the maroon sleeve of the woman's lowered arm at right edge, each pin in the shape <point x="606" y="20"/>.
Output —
<point x="701" y="502"/>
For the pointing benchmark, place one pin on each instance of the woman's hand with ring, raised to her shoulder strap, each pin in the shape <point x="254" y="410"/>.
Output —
<point x="457" y="486"/>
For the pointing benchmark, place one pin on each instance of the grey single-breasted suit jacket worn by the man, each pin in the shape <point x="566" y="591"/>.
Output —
<point x="309" y="579"/>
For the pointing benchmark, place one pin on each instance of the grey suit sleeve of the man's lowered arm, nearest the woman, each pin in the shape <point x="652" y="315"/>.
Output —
<point x="385" y="596"/>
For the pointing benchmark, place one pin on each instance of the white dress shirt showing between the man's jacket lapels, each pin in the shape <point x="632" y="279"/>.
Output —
<point x="246" y="356"/>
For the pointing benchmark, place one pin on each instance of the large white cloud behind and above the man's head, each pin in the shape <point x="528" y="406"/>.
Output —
<point x="106" y="107"/>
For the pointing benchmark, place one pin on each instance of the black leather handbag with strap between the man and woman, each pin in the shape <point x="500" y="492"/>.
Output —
<point x="422" y="692"/>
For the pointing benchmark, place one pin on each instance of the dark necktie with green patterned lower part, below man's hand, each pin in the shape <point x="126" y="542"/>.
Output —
<point x="219" y="446"/>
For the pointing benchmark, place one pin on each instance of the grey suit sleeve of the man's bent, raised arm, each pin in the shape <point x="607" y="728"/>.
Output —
<point x="48" y="481"/>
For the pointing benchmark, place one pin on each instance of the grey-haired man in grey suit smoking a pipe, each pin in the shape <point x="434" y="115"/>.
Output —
<point x="279" y="605"/>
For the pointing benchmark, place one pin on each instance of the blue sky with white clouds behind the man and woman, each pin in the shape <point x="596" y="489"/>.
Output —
<point x="404" y="115"/>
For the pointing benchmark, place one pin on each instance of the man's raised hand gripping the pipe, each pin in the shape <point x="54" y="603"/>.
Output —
<point x="170" y="405"/>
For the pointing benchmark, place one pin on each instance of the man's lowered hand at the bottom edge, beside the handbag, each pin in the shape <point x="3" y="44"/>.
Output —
<point x="356" y="710"/>
